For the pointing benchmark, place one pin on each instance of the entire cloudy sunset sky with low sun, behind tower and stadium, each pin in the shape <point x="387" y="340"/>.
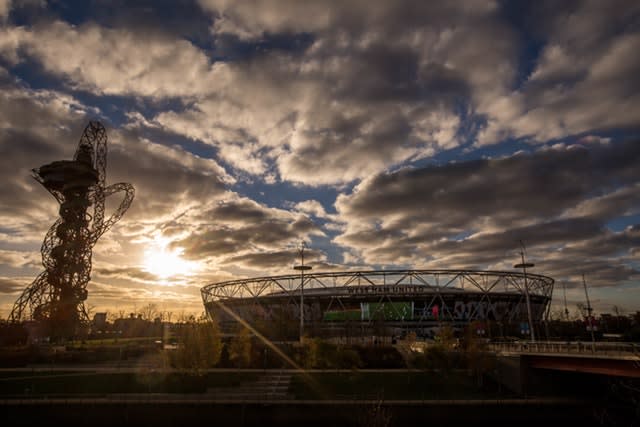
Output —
<point x="385" y="134"/>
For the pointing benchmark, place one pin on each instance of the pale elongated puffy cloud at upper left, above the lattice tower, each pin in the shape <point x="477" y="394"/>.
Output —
<point x="117" y="61"/>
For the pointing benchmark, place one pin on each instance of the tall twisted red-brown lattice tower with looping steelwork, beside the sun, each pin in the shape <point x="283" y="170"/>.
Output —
<point x="57" y="295"/>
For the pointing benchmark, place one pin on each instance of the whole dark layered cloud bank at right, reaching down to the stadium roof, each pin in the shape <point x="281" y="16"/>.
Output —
<point x="474" y="214"/>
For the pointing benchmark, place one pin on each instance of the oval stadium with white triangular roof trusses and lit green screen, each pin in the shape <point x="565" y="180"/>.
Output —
<point x="380" y="303"/>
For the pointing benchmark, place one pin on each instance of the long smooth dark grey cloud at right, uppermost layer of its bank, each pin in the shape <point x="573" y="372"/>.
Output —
<point x="500" y="190"/>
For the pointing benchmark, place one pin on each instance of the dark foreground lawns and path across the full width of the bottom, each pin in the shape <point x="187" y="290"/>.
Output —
<point x="131" y="397"/>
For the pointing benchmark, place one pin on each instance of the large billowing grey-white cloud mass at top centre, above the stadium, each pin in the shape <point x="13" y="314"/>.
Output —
<point x="382" y="80"/>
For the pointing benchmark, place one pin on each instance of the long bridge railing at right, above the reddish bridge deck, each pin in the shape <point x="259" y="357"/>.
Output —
<point x="568" y="347"/>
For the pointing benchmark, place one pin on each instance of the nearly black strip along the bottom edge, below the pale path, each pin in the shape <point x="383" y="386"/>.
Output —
<point x="177" y="411"/>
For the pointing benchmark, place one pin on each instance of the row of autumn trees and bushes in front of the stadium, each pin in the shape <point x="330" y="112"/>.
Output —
<point x="200" y="346"/>
